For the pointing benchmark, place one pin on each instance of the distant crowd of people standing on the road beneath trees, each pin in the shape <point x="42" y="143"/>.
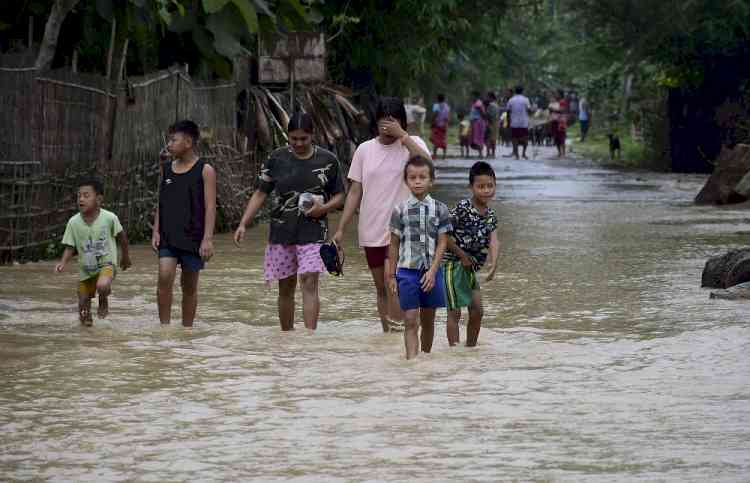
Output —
<point x="494" y="120"/>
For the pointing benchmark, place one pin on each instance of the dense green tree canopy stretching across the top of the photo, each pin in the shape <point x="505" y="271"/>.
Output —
<point x="621" y="53"/>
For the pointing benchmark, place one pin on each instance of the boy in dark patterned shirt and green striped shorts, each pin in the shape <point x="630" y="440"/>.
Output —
<point x="474" y="232"/>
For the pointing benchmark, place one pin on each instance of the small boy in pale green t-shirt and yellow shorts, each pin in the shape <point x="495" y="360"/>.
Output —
<point x="94" y="234"/>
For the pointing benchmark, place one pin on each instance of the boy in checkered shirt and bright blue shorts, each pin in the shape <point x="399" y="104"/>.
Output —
<point x="419" y="235"/>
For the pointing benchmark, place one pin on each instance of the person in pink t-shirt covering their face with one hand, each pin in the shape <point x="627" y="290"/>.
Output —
<point x="377" y="185"/>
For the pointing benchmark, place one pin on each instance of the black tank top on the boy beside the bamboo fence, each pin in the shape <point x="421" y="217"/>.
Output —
<point x="182" y="209"/>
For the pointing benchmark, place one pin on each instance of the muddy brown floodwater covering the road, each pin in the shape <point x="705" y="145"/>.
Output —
<point x="600" y="358"/>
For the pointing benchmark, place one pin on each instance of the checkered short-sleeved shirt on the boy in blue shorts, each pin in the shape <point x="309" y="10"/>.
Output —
<point x="418" y="224"/>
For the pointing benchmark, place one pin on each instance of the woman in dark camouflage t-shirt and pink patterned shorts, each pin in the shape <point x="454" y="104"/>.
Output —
<point x="298" y="228"/>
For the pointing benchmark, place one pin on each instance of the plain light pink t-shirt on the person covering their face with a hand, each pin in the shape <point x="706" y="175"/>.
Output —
<point x="380" y="169"/>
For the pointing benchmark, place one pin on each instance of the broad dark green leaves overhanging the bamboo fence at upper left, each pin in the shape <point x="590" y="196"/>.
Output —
<point x="203" y="33"/>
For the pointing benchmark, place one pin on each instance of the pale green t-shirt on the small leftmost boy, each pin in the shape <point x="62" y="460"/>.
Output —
<point x="95" y="243"/>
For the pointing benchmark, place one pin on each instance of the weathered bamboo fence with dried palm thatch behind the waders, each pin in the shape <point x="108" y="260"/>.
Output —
<point x="63" y="125"/>
